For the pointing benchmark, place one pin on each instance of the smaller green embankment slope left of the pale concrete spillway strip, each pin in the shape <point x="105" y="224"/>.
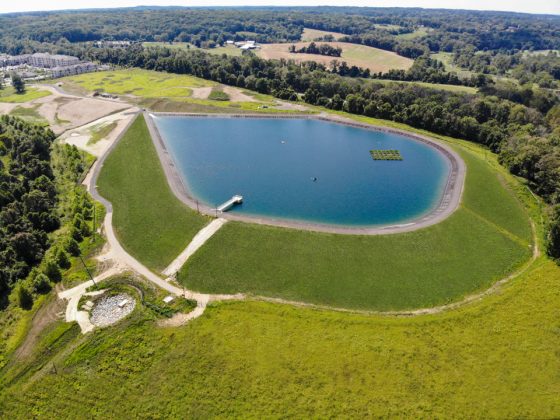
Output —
<point x="150" y="222"/>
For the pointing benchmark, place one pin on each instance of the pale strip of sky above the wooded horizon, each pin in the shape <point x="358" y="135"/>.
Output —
<point x="532" y="6"/>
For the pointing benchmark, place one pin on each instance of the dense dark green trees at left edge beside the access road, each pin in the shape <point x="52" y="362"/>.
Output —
<point x="44" y="215"/>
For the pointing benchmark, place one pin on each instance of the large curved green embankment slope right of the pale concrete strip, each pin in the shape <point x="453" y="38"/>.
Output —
<point x="483" y="241"/>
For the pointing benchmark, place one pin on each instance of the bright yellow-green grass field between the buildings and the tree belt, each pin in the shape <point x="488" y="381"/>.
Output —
<point x="140" y="83"/>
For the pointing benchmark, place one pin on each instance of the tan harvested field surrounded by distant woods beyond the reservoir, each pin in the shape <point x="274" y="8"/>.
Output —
<point x="355" y="55"/>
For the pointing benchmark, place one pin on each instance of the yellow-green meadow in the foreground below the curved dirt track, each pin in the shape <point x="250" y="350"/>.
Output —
<point x="497" y="358"/>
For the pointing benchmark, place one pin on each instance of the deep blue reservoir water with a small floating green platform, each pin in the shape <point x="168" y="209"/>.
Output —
<point x="272" y="164"/>
